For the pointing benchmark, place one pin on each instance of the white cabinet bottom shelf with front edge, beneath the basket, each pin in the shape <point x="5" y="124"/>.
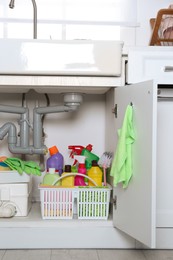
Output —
<point x="33" y="232"/>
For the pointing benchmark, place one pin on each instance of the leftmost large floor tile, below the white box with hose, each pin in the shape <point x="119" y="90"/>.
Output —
<point x="27" y="255"/>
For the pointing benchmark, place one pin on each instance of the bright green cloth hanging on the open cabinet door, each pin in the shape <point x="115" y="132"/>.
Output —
<point x="121" y="169"/>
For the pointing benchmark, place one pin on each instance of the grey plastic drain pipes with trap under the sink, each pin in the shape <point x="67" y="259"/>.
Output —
<point x="72" y="102"/>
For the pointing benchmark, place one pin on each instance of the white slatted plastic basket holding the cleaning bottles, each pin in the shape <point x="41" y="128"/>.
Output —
<point x="58" y="202"/>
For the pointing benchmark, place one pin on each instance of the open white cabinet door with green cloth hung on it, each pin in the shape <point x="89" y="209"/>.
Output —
<point x="135" y="209"/>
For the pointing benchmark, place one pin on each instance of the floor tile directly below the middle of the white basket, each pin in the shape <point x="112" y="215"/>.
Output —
<point x="75" y="254"/>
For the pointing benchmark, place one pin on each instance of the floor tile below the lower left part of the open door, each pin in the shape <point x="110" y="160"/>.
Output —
<point x="121" y="255"/>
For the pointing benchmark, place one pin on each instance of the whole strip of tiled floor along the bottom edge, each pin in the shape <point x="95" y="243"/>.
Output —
<point x="89" y="254"/>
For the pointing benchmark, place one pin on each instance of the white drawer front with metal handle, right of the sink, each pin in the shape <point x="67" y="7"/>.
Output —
<point x="150" y="62"/>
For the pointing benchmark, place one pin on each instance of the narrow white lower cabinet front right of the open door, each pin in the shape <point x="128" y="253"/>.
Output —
<point x="165" y="161"/>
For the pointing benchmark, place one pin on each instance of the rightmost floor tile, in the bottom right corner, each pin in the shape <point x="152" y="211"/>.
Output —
<point x="158" y="254"/>
